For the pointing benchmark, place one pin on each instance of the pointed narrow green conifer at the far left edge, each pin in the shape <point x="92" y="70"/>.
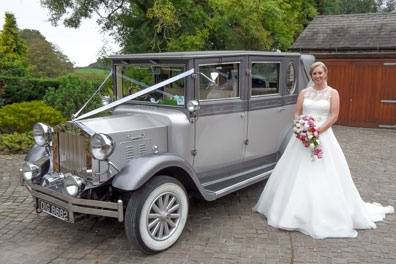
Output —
<point x="12" y="49"/>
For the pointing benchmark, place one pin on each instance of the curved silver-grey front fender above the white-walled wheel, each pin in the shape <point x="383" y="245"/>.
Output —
<point x="140" y="170"/>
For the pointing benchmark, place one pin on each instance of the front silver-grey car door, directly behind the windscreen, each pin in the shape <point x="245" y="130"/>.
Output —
<point x="220" y="129"/>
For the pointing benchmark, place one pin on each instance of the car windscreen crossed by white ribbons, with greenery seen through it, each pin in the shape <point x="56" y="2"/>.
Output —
<point x="131" y="78"/>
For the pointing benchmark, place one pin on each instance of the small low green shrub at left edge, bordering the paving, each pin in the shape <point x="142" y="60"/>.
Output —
<point x="16" y="143"/>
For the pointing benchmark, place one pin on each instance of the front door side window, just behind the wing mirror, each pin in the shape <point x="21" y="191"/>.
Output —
<point x="218" y="81"/>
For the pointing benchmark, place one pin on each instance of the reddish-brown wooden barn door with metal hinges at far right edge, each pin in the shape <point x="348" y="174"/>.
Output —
<point x="386" y="113"/>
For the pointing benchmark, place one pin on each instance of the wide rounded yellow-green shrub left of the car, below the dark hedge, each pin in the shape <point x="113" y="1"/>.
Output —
<point x="20" y="117"/>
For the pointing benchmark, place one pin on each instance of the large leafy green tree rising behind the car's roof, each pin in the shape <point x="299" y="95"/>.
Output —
<point x="169" y="25"/>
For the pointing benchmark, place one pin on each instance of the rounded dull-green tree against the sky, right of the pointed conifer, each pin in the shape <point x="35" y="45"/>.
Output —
<point x="44" y="59"/>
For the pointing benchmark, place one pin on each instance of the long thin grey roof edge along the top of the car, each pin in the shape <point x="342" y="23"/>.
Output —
<point x="200" y="54"/>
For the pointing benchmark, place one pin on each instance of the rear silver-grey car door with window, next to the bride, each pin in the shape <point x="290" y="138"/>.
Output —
<point x="272" y="98"/>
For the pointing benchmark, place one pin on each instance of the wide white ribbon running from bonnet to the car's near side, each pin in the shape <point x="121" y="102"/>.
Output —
<point x="135" y="95"/>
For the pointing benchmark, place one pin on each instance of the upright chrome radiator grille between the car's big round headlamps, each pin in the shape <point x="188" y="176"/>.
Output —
<point x="70" y="152"/>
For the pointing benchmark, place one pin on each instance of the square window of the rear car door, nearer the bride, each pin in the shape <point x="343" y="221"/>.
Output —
<point x="265" y="78"/>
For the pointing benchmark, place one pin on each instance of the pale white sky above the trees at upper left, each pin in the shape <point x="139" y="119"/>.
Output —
<point x="80" y="45"/>
